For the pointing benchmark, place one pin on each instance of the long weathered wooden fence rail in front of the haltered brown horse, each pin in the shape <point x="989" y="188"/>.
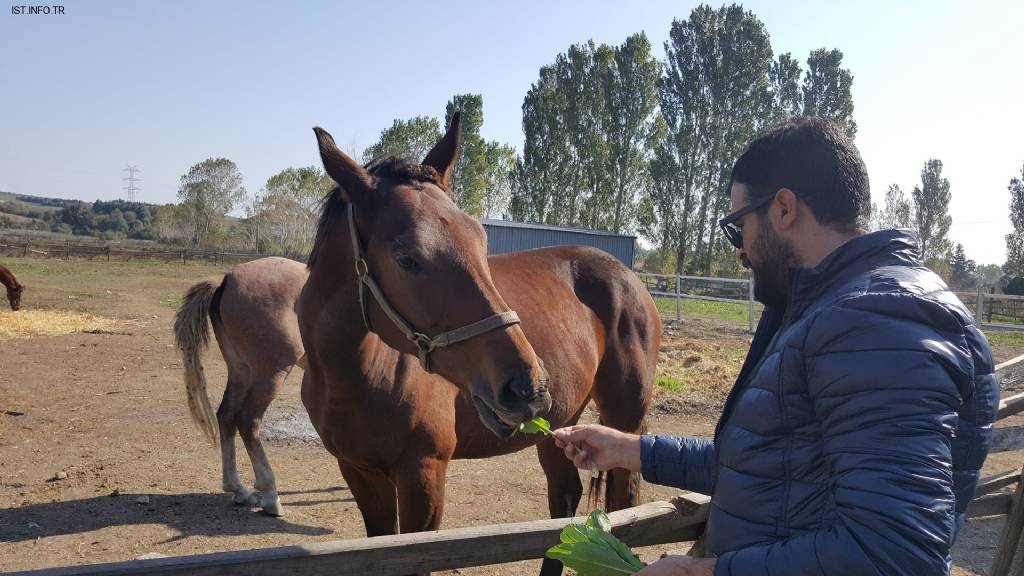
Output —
<point x="656" y="523"/>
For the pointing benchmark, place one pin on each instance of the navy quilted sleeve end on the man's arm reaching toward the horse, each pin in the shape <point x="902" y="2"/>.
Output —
<point x="679" y="462"/>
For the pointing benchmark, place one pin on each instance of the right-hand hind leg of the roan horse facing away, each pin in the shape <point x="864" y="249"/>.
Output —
<point x="262" y="392"/>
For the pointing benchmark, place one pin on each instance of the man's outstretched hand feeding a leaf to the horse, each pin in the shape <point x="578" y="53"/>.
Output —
<point x="596" y="446"/>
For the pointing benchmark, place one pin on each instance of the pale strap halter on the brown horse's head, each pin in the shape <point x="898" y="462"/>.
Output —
<point x="425" y="344"/>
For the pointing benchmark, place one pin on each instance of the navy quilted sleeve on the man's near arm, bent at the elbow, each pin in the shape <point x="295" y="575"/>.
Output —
<point x="887" y="379"/>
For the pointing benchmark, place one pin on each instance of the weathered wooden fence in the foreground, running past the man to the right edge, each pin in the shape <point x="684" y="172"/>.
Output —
<point x="656" y="523"/>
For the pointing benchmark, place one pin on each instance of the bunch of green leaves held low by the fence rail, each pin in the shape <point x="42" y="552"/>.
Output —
<point x="592" y="551"/>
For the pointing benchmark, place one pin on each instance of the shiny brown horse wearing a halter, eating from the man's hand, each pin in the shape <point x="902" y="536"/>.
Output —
<point x="440" y="367"/>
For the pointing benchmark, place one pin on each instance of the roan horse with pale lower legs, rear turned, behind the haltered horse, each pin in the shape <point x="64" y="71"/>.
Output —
<point x="253" y="315"/>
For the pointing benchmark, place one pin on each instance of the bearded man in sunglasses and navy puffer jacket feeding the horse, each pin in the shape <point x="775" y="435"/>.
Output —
<point x="852" y="440"/>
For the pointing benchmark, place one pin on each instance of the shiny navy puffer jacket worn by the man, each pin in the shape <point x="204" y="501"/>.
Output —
<point x="852" y="441"/>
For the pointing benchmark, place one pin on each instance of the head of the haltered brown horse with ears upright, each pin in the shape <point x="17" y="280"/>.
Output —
<point x="422" y="268"/>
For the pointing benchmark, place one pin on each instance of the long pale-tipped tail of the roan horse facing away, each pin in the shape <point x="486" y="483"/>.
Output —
<point x="192" y="334"/>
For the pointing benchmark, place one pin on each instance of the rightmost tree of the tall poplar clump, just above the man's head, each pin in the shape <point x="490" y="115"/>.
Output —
<point x="827" y="90"/>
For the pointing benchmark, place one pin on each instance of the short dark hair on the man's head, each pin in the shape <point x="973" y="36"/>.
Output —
<point x="819" y="162"/>
